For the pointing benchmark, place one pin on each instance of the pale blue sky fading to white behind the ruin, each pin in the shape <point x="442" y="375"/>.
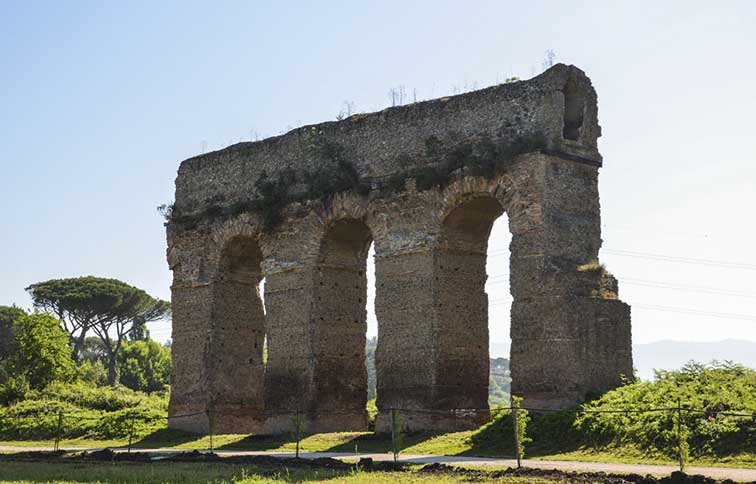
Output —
<point x="102" y="100"/>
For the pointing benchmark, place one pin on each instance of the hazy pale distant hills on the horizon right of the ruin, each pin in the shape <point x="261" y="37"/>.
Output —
<point x="671" y="355"/>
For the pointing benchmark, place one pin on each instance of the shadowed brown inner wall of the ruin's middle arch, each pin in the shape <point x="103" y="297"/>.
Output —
<point x="339" y="330"/>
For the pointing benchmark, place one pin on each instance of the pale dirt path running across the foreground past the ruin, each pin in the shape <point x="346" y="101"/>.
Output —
<point x="736" y="474"/>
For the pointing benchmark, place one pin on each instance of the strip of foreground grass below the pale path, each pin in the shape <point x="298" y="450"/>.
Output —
<point x="93" y="473"/>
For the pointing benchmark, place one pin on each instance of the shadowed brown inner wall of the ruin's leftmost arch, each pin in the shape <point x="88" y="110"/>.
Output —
<point x="237" y="338"/>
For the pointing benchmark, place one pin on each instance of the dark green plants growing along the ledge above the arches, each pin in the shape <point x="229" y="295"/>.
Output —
<point x="335" y="173"/>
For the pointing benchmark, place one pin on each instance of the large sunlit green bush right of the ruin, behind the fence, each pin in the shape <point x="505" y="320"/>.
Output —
<point x="712" y="388"/>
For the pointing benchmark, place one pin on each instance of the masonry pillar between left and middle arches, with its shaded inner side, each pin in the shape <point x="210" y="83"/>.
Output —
<point x="316" y="330"/>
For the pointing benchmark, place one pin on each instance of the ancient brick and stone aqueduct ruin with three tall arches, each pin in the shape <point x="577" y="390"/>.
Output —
<point x="425" y="183"/>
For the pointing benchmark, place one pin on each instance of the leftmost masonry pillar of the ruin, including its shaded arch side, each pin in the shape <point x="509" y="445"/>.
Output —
<point x="218" y="336"/>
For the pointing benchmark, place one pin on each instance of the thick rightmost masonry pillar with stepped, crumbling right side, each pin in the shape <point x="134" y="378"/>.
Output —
<point x="570" y="334"/>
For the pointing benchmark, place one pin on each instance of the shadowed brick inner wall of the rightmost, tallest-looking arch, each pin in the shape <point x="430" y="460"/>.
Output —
<point x="464" y="365"/>
